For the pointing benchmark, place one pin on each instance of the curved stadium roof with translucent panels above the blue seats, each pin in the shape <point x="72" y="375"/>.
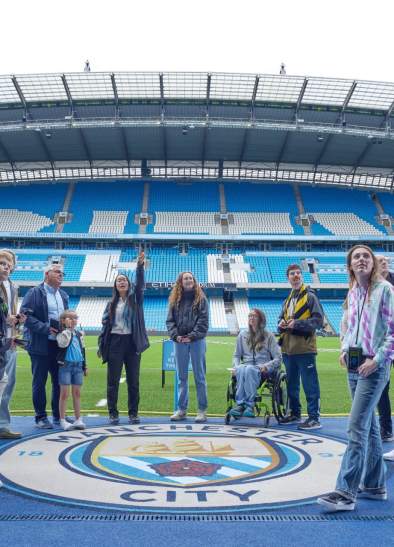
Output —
<point x="198" y="125"/>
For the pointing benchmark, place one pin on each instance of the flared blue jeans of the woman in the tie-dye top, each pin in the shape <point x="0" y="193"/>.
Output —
<point x="362" y="464"/>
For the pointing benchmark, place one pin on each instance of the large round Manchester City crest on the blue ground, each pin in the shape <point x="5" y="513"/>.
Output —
<point x="174" y="468"/>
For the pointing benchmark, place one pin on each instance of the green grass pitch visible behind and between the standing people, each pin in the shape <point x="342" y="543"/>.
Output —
<point x="335" y="398"/>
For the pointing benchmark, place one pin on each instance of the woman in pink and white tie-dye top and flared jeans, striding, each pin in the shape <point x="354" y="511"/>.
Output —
<point x="370" y="327"/>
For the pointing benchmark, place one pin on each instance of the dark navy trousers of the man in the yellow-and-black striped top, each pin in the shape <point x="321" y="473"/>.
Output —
<point x="303" y="366"/>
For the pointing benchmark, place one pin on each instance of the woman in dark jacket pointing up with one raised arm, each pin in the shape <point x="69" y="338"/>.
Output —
<point x="122" y="340"/>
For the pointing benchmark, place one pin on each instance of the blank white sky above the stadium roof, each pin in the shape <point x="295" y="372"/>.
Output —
<point x="346" y="39"/>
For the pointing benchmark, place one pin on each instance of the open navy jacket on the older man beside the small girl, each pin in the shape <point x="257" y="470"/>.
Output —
<point x="35" y="306"/>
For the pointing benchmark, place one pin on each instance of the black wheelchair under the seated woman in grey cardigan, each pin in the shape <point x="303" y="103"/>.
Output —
<point x="271" y="398"/>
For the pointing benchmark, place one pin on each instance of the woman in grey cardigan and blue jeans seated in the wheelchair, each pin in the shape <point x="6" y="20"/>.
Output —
<point x="257" y="357"/>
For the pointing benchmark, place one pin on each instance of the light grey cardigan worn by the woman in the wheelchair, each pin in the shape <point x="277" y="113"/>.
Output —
<point x="269" y="355"/>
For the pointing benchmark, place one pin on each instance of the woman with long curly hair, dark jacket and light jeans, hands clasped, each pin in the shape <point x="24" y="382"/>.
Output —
<point x="187" y="325"/>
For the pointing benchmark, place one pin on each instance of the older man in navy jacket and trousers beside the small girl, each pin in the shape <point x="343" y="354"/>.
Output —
<point x="43" y="306"/>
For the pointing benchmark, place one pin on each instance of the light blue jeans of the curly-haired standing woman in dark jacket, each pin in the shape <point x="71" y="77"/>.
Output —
<point x="196" y="352"/>
